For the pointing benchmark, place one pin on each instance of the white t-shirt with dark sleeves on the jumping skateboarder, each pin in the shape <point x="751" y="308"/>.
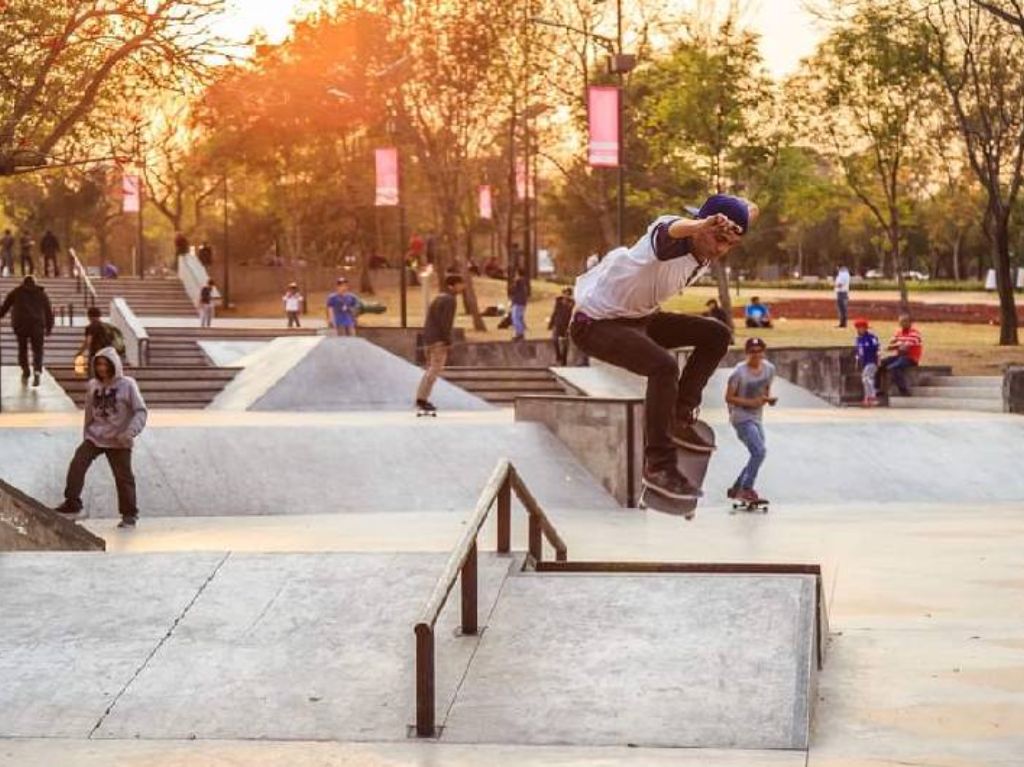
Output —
<point x="632" y="282"/>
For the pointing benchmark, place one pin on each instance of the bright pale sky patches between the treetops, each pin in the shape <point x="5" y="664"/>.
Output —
<point x="788" y="32"/>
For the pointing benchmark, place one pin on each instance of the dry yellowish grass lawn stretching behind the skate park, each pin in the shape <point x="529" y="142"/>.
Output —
<point x="971" y="350"/>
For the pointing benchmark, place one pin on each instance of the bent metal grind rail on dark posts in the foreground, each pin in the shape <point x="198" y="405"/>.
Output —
<point x="462" y="565"/>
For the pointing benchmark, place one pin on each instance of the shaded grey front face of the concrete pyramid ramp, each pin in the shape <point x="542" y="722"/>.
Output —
<point x="352" y="374"/>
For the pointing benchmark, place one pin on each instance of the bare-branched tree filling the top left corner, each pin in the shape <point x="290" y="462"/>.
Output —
<point x="67" y="67"/>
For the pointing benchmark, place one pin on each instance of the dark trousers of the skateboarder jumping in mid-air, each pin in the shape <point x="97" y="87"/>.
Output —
<point x="643" y="348"/>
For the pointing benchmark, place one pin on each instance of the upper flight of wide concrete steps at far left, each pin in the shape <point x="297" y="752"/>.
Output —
<point x="150" y="297"/>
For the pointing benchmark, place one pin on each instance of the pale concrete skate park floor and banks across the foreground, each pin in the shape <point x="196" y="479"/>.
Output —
<point x="223" y="619"/>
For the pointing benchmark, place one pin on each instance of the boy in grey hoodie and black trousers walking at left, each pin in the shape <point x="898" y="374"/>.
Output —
<point x="115" y="415"/>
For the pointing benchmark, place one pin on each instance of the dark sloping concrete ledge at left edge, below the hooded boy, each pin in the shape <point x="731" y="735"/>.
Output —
<point x="28" y="526"/>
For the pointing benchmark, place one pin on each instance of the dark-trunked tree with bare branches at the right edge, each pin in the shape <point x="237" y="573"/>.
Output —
<point x="978" y="61"/>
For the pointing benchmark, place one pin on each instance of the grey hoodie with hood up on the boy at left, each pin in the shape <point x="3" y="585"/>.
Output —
<point x="115" y="413"/>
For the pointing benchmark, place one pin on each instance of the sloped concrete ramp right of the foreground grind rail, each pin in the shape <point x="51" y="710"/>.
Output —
<point x="677" y="661"/>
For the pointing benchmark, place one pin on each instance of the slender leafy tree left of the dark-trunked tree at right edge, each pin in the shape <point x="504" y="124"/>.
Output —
<point x="866" y="95"/>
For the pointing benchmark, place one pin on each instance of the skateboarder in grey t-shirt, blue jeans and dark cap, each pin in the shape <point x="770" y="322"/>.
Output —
<point x="748" y="392"/>
